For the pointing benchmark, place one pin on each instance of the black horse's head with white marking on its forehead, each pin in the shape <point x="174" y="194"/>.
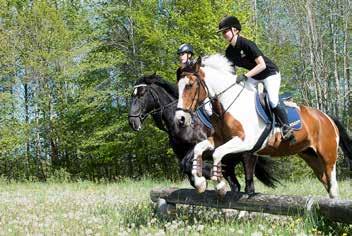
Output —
<point x="143" y="101"/>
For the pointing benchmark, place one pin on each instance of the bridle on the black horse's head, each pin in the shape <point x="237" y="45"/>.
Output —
<point x="141" y="115"/>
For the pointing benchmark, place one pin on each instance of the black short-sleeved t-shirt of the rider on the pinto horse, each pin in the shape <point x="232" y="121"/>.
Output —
<point x="244" y="53"/>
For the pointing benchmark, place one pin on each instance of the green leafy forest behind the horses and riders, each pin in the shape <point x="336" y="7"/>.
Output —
<point x="67" y="68"/>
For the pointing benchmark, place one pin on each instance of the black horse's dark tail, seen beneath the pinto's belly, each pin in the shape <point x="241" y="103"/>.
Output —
<point x="263" y="171"/>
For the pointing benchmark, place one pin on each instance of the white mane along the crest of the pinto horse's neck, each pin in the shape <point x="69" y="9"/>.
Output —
<point x="218" y="62"/>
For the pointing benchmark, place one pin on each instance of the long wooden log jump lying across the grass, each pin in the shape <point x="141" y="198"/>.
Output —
<point x="336" y="210"/>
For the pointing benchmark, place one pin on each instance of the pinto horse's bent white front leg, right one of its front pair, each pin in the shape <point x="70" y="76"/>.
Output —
<point x="235" y="145"/>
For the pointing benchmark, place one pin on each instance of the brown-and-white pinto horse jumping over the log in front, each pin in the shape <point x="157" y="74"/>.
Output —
<point x="238" y="126"/>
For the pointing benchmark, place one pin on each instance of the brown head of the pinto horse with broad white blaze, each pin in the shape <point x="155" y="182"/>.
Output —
<point x="192" y="92"/>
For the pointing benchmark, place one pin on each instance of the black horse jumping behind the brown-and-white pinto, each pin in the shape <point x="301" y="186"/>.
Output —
<point x="154" y="96"/>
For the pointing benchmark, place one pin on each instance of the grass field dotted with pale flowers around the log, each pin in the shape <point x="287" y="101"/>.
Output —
<point x="124" y="208"/>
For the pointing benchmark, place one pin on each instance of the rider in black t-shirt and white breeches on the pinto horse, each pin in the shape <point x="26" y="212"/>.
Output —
<point x="245" y="53"/>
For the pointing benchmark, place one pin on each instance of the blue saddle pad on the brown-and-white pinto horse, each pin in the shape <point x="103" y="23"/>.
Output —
<point x="292" y="114"/>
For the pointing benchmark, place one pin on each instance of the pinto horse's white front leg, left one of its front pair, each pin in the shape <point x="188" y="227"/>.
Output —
<point x="199" y="181"/>
